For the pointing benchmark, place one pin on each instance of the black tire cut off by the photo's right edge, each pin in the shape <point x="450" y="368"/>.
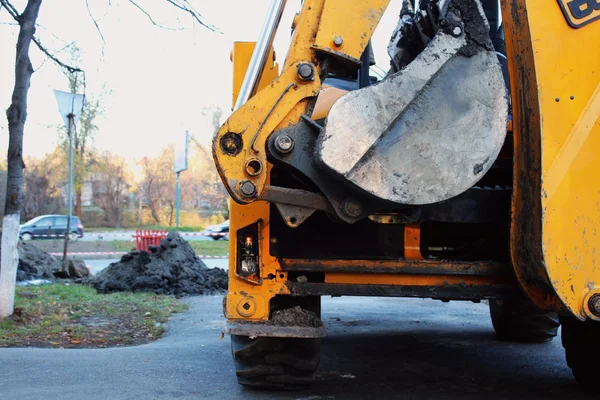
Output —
<point x="580" y="340"/>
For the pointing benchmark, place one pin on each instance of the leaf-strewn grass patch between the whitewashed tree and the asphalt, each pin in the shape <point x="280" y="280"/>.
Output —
<point x="72" y="315"/>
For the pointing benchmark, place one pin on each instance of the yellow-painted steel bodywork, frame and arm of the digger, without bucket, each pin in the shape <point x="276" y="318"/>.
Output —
<point x="555" y="85"/>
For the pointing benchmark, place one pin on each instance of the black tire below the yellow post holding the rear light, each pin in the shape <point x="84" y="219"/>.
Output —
<point x="275" y="363"/>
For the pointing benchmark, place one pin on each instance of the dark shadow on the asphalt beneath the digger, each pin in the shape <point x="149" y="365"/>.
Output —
<point x="429" y="364"/>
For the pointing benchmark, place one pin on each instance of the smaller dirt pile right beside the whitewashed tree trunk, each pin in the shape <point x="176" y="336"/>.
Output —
<point x="35" y="263"/>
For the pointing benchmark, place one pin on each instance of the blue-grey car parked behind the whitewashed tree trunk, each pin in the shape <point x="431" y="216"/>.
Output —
<point x="48" y="226"/>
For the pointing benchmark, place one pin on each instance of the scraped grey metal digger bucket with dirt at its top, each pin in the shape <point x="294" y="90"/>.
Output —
<point x="430" y="131"/>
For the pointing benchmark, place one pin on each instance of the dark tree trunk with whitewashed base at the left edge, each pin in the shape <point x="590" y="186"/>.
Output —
<point x="16" y="115"/>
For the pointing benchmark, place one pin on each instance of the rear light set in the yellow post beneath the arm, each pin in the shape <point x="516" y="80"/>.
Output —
<point x="247" y="253"/>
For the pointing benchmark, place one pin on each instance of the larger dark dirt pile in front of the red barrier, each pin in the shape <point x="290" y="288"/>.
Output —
<point x="171" y="268"/>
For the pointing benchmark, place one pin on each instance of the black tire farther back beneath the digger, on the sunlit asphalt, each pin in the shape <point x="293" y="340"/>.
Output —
<point x="522" y="321"/>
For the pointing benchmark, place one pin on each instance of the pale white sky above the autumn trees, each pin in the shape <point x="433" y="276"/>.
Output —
<point x="156" y="82"/>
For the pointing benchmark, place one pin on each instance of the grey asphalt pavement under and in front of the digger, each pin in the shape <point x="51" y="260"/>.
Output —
<point x="378" y="349"/>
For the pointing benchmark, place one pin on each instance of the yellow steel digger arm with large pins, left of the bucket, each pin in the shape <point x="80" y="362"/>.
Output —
<point x="239" y="146"/>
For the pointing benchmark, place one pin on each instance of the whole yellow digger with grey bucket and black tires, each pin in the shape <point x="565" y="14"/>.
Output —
<point x="468" y="172"/>
